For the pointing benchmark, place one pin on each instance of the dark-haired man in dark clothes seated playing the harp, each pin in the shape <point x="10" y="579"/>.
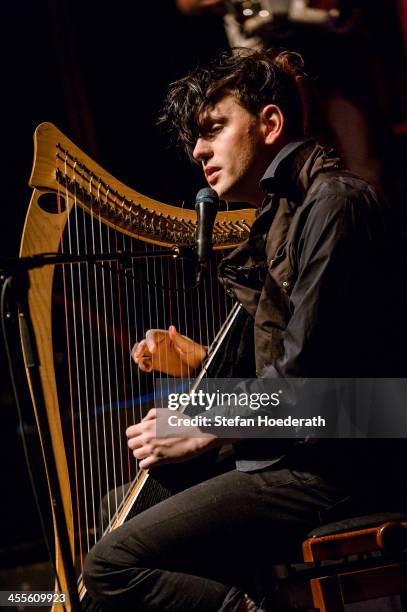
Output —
<point x="307" y="278"/>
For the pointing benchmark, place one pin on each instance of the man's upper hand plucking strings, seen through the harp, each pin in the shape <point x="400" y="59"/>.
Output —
<point x="168" y="352"/>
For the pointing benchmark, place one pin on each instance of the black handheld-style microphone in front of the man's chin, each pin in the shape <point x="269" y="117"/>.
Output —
<point x="206" y="206"/>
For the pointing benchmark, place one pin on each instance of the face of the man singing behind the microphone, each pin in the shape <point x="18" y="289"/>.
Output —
<point x="232" y="150"/>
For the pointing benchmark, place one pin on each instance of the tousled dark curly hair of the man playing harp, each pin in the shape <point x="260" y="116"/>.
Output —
<point x="254" y="78"/>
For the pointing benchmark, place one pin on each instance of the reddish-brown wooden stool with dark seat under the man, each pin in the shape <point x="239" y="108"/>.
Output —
<point x="369" y="575"/>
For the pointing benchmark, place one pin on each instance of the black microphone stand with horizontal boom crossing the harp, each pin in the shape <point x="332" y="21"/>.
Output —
<point x="15" y="273"/>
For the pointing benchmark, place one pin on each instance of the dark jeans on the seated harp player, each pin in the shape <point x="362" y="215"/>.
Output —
<point x="202" y="549"/>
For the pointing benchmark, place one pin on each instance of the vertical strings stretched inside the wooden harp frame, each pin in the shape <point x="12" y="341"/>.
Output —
<point x="106" y="311"/>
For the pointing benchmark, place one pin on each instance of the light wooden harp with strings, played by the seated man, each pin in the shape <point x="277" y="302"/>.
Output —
<point x="85" y="318"/>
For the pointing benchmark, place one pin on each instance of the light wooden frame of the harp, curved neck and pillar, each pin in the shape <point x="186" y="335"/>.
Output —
<point x="124" y="210"/>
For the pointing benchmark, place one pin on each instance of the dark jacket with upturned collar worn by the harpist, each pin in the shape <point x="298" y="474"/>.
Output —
<point x="320" y="279"/>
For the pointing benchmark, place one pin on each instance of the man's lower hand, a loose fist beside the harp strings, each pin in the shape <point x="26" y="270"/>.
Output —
<point x="151" y="451"/>
